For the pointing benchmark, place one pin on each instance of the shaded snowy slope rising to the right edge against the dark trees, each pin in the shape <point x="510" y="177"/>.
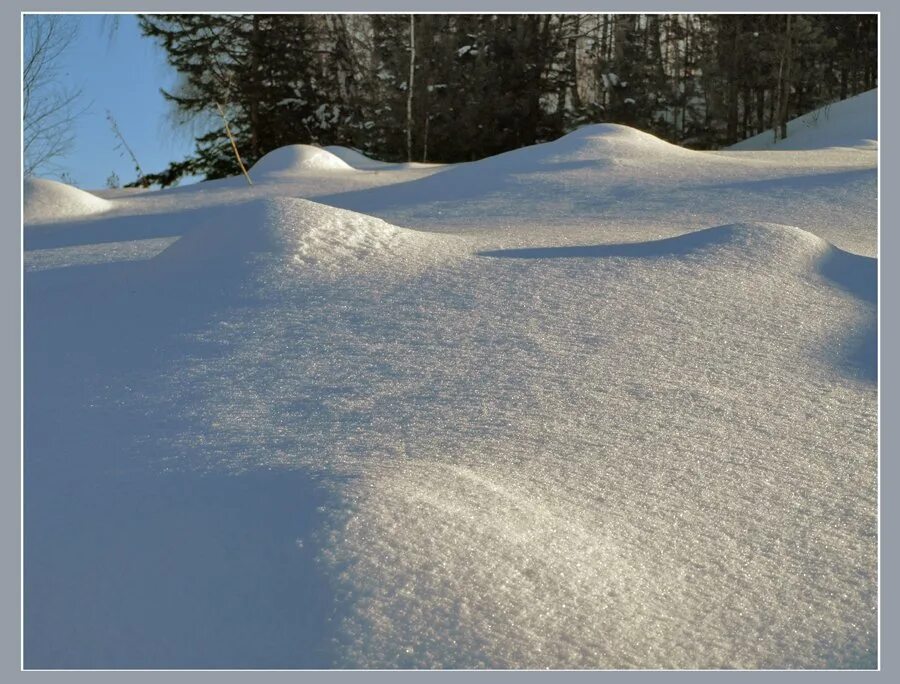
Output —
<point x="850" y="123"/>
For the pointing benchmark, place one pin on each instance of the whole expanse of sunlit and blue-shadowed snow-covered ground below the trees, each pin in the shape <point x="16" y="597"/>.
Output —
<point x="598" y="403"/>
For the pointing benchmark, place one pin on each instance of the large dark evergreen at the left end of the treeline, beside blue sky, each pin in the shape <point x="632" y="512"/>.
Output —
<point x="280" y="80"/>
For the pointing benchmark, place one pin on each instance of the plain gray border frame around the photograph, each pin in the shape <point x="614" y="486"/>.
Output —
<point x="10" y="301"/>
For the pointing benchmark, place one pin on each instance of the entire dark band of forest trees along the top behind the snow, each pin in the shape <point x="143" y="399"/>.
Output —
<point x="453" y="88"/>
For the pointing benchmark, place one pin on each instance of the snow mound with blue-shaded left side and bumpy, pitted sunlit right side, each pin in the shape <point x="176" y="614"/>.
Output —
<point x="304" y="233"/>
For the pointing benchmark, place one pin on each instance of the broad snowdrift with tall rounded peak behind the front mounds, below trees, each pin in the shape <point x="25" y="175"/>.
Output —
<point x="634" y="184"/>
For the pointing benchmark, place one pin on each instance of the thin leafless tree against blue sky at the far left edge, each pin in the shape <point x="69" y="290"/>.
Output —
<point x="49" y="105"/>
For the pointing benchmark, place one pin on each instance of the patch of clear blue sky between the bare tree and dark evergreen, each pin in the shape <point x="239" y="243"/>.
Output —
<point x="120" y="71"/>
